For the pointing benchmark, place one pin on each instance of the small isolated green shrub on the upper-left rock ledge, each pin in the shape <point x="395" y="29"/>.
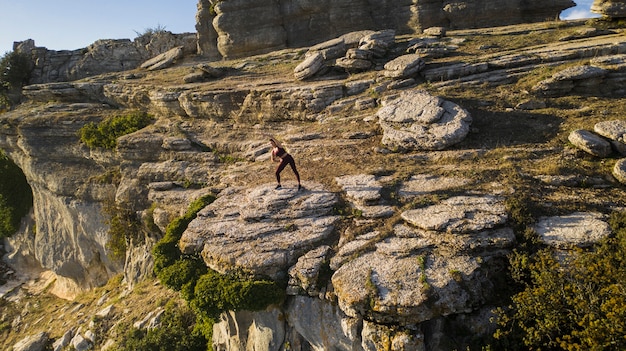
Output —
<point x="105" y="133"/>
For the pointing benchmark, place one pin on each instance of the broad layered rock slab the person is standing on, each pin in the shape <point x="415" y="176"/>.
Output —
<point x="261" y="229"/>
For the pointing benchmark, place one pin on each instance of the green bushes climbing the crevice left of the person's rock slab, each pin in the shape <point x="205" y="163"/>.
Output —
<point x="208" y="292"/>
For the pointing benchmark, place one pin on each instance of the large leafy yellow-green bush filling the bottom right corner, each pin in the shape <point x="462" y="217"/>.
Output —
<point x="569" y="303"/>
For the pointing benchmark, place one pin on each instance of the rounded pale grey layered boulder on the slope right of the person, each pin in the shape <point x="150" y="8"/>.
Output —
<point x="417" y="120"/>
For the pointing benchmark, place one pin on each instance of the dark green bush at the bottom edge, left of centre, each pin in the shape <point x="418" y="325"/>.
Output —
<point x="177" y="332"/>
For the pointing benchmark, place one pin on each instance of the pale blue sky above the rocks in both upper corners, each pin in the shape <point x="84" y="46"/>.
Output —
<point x="75" y="24"/>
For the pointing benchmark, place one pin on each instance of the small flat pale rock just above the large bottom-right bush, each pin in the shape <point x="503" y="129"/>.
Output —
<point x="580" y="229"/>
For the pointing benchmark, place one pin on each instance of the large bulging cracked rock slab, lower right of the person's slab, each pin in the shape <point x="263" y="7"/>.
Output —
<point x="416" y="275"/>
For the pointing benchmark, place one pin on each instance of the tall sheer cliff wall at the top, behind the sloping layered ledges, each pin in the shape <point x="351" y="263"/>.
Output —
<point x="241" y="32"/>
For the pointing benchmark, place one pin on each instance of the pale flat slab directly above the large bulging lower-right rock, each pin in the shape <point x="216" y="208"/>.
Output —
<point x="460" y="214"/>
